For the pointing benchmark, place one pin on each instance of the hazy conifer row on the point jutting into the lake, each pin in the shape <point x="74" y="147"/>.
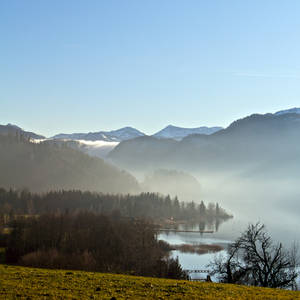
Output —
<point x="146" y="205"/>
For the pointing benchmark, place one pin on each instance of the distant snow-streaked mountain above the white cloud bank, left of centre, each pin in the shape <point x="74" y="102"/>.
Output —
<point x="119" y="135"/>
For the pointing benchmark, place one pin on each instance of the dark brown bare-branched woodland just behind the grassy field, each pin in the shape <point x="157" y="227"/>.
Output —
<point x="91" y="242"/>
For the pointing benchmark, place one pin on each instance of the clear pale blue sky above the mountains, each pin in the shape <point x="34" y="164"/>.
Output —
<point x="90" y="65"/>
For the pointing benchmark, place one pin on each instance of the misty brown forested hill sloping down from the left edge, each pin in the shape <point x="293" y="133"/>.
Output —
<point x="45" y="166"/>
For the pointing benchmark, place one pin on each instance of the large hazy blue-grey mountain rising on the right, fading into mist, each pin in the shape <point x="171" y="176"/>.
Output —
<point x="251" y="140"/>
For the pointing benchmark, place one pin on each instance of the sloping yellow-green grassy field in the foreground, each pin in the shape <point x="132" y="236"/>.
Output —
<point x="31" y="283"/>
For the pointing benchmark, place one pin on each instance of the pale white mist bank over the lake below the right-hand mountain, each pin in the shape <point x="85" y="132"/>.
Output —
<point x="249" y="196"/>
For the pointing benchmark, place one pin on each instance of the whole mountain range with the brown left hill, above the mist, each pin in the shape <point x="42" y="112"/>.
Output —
<point x="257" y="144"/>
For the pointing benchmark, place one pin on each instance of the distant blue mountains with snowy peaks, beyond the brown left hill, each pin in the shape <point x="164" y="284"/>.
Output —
<point x="174" y="146"/>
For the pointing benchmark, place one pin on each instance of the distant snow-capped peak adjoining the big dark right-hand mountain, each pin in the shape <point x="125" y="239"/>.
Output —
<point x="178" y="133"/>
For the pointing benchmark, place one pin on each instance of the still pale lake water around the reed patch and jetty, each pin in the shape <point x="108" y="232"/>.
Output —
<point x="227" y="232"/>
